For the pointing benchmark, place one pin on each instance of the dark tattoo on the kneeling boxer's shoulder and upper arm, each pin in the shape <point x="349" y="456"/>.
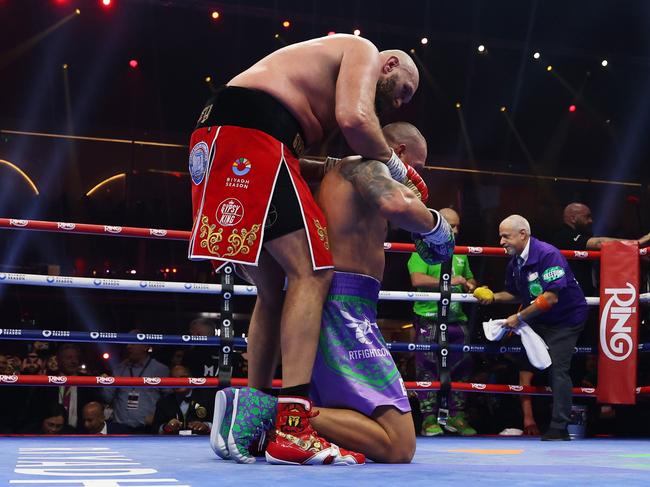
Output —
<point x="371" y="179"/>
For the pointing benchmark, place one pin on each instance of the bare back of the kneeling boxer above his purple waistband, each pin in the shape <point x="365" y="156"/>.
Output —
<point x="355" y="228"/>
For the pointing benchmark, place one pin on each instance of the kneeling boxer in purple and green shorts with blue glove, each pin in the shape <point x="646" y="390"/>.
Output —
<point x="358" y="392"/>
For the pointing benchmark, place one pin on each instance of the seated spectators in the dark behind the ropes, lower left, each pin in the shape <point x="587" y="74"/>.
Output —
<point x="110" y="410"/>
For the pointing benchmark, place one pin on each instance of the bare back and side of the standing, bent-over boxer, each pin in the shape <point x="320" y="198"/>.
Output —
<point x="303" y="77"/>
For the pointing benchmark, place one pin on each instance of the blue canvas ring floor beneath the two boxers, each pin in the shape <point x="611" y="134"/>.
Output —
<point x="184" y="461"/>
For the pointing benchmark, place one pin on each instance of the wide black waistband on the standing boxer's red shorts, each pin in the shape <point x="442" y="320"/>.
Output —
<point x="254" y="109"/>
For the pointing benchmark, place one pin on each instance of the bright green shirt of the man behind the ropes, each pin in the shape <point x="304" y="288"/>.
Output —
<point x="460" y="267"/>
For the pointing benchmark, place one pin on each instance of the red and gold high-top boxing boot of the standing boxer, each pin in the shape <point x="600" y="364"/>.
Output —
<point x="295" y="442"/>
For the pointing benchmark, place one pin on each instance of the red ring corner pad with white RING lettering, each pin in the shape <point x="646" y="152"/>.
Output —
<point x="619" y="322"/>
